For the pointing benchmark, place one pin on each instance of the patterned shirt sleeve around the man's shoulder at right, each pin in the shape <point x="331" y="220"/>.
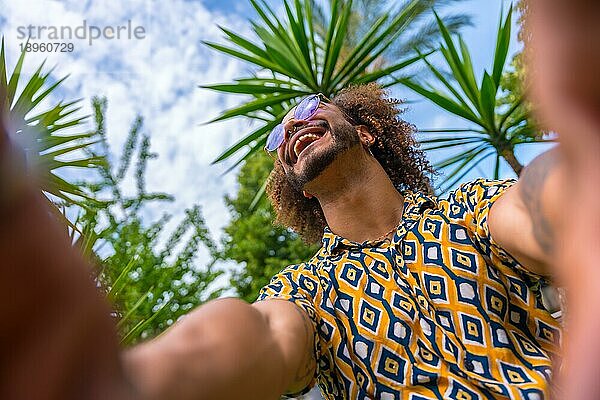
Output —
<point x="476" y="198"/>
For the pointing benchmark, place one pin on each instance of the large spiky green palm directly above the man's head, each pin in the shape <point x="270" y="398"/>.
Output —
<point x="311" y="49"/>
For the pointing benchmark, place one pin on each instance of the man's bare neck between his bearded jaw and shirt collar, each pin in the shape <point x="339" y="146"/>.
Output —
<point x="359" y="202"/>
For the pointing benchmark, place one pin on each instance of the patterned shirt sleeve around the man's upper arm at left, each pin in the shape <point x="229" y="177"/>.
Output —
<point x="298" y="284"/>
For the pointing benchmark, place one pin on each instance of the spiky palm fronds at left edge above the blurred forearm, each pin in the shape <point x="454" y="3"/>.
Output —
<point x="43" y="133"/>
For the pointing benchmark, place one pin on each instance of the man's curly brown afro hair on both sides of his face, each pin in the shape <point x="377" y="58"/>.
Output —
<point x="395" y="149"/>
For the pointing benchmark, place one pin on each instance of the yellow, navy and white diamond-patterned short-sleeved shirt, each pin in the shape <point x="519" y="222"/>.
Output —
<point x="439" y="311"/>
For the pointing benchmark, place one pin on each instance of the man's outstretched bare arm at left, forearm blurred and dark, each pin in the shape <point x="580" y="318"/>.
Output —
<point x="58" y="341"/>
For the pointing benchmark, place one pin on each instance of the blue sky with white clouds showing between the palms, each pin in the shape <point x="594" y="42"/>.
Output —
<point x="158" y="78"/>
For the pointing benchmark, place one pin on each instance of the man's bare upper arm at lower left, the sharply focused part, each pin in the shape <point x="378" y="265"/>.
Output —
<point x="228" y="349"/>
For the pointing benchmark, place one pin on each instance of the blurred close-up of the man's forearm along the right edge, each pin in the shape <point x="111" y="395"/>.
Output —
<point x="565" y="60"/>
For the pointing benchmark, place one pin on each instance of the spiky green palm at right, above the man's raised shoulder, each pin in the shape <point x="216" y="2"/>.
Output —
<point x="500" y="121"/>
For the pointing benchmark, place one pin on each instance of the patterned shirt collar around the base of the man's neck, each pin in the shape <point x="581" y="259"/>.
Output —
<point x="414" y="205"/>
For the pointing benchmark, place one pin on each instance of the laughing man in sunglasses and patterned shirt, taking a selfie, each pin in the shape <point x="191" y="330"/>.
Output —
<point x="410" y="296"/>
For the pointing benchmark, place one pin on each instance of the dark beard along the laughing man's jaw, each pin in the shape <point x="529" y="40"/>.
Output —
<point x="344" y="137"/>
